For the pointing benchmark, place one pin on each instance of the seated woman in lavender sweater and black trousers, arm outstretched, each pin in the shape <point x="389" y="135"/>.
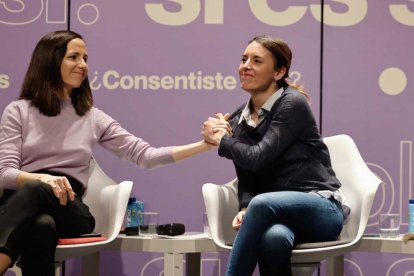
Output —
<point x="46" y="141"/>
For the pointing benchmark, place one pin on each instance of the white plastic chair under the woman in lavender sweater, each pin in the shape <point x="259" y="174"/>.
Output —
<point x="107" y="201"/>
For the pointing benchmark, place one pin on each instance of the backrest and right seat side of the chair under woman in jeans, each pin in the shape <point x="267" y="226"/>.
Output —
<point x="359" y="186"/>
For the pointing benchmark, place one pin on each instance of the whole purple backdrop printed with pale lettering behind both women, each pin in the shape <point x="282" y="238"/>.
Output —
<point x="367" y="90"/>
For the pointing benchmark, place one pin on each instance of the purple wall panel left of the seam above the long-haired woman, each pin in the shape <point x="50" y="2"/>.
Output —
<point x="21" y="26"/>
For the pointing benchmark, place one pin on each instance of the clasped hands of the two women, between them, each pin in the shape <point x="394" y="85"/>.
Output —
<point x="215" y="128"/>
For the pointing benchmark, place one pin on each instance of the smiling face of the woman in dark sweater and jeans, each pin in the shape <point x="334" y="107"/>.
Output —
<point x="257" y="69"/>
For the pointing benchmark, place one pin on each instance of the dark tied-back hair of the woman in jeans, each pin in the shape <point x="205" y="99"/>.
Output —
<point x="282" y="56"/>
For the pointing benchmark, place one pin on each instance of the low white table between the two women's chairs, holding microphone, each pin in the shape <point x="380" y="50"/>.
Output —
<point x="188" y="247"/>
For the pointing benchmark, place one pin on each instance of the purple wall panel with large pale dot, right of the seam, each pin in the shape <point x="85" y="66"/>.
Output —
<point x="368" y="94"/>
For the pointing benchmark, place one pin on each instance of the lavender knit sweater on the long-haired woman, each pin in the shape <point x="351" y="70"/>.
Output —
<point x="30" y="141"/>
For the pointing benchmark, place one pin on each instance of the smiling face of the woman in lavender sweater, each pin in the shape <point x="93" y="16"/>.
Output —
<point x="74" y="68"/>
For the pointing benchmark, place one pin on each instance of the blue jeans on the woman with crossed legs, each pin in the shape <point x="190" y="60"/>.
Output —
<point x="274" y="223"/>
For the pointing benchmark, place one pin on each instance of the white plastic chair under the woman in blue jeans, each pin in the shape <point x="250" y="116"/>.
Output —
<point x="359" y="185"/>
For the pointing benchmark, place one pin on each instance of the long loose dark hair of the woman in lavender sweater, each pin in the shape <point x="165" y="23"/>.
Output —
<point x="43" y="84"/>
